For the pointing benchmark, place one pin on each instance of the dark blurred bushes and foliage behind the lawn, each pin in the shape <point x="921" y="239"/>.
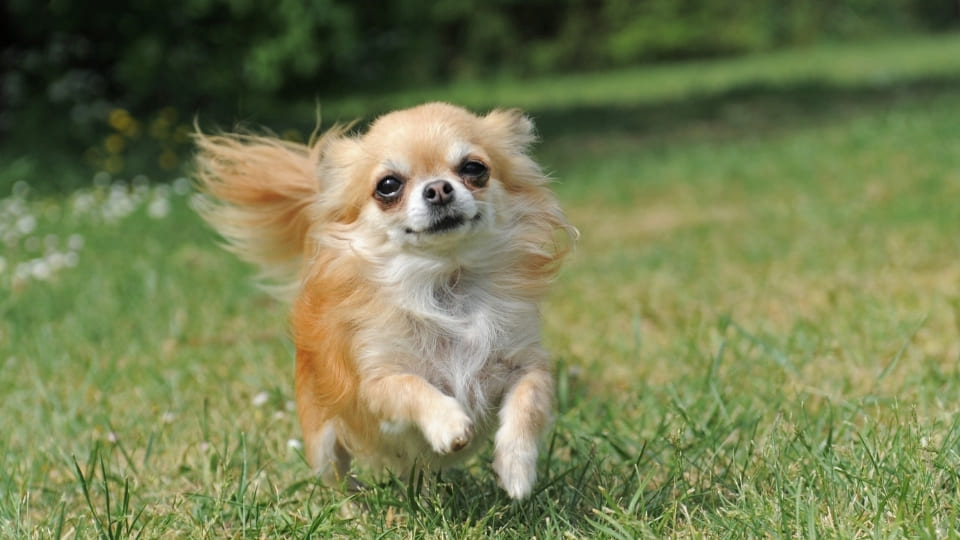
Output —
<point x="115" y="86"/>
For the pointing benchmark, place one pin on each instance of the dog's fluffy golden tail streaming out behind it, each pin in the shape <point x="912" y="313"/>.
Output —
<point x="259" y="192"/>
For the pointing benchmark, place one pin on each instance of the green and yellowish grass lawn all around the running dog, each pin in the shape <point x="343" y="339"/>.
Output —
<point x="758" y="335"/>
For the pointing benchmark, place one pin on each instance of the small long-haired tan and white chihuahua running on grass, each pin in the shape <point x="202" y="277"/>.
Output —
<point x="416" y="255"/>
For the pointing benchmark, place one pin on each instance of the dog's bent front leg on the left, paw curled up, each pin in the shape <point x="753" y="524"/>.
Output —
<point x="410" y="398"/>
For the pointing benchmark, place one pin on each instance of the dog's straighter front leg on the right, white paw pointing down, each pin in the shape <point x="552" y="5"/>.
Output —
<point x="524" y="415"/>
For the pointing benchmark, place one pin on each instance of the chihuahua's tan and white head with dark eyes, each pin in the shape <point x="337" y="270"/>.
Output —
<point x="434" y="175"/>
